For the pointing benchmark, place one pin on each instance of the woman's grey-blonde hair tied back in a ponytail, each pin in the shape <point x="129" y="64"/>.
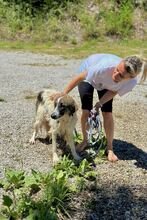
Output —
<point x="136" y="65"/>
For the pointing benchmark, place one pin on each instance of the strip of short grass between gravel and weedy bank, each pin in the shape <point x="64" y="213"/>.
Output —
<point x="120" y="47"/>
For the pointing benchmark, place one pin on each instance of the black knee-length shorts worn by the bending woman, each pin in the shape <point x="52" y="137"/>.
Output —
<point x="86" y="94"/>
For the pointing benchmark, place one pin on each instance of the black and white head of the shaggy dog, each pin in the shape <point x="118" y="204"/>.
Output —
<point x="64" y="105"/>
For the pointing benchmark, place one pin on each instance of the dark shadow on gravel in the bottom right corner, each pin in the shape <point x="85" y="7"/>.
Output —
<point x="120" y="204"/>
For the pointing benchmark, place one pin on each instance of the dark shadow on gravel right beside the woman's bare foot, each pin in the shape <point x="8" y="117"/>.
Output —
<point x="128" y="151"/>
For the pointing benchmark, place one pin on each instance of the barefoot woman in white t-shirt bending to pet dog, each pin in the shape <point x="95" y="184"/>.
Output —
<point x="109" y="75"/>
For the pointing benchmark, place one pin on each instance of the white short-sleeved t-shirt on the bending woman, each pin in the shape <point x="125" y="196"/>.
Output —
<point x="100" y="68"/>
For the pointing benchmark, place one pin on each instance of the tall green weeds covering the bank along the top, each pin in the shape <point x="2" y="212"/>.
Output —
<point x="40" y="22"/>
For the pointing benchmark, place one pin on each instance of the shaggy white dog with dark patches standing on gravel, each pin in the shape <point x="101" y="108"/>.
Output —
<point x="58" y="118"/>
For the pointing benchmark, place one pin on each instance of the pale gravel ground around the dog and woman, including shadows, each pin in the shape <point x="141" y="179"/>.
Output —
<point x="121" y="188"/>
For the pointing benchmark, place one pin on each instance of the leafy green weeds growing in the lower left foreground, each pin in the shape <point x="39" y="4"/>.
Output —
<point x="43" y="195"/>
